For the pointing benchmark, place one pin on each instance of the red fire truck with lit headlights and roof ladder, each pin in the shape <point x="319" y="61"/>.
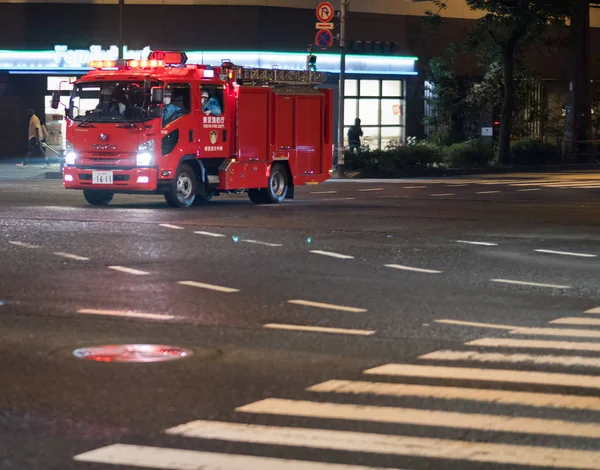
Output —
<point x="190" y="132"/>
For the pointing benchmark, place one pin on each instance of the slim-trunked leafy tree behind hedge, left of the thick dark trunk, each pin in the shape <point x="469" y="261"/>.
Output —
<point x="511" y="26"/>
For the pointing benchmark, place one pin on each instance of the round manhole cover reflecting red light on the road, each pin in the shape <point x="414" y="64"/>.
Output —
<point x="132" y="353"/>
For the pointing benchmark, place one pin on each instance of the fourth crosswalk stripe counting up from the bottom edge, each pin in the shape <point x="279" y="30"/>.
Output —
<point x="502" y="397"/>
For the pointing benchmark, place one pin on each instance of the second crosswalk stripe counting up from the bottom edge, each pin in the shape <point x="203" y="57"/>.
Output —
<point x="390" y="445"/>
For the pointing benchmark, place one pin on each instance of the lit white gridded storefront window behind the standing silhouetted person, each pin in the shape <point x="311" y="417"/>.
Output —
<point x="380" y="106"/>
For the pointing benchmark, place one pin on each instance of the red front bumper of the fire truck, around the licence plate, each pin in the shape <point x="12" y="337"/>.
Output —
<point x="124" y="181"/>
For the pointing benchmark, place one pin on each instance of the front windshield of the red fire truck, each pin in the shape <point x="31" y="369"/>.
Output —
<point x="109" y="101"/>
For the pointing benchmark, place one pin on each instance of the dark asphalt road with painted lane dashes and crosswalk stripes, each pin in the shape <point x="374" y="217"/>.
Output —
<point x="416" y="324"/>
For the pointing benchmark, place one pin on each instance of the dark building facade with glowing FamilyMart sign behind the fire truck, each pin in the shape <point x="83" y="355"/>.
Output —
<point x="46" y="44"/>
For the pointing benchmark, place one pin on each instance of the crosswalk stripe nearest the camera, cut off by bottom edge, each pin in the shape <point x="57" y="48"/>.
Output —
<point x="179" y="459"/>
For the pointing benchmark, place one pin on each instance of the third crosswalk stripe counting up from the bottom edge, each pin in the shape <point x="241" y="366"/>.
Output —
<point x="412" y="416"/>
